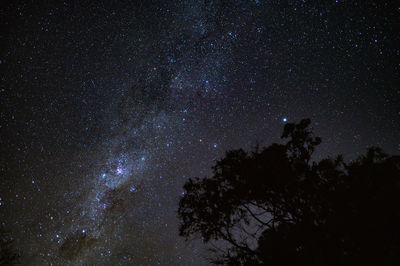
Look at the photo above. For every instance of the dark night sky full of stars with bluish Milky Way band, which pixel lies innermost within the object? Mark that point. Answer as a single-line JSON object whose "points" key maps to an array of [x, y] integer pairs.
{"points": [[108, 107]]}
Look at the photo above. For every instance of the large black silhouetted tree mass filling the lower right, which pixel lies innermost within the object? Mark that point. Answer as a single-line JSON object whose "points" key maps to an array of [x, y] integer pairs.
{"points": [[273, 206]]}
